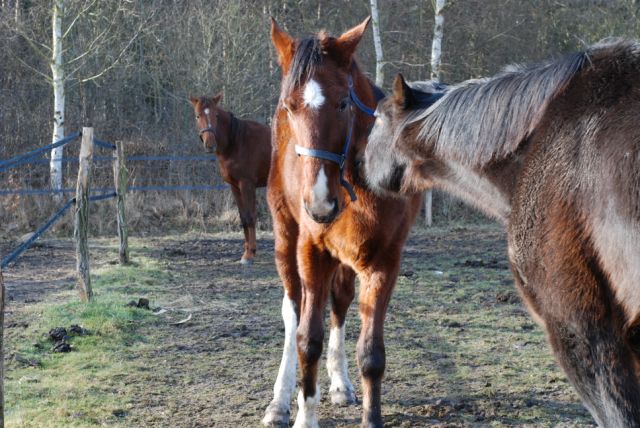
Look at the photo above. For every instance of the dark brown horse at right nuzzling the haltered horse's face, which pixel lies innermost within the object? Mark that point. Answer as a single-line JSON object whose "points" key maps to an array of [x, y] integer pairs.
{"points": [[552, 151]]}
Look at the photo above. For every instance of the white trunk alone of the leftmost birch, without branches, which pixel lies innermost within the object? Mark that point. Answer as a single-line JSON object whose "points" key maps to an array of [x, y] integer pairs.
{"points": [[57, 74]]}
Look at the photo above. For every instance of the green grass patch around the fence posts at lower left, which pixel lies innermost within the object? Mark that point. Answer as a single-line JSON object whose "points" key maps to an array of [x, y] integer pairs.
{"points": [[89, 386]]}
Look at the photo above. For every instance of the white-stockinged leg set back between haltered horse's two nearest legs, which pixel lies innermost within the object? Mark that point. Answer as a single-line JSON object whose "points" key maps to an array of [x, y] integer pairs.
{"points": [[342, 293]]}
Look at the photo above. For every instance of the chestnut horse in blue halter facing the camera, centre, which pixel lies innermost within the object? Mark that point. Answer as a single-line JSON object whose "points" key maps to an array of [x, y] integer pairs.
{"points": [[329, 226]]}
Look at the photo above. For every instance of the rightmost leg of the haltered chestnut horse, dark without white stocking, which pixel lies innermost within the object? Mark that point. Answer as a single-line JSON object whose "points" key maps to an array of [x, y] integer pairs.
{"points": [[375, 291]]}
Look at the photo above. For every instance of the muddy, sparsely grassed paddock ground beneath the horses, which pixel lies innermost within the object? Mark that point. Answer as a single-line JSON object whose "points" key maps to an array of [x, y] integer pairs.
{"points": [[461, 350]]}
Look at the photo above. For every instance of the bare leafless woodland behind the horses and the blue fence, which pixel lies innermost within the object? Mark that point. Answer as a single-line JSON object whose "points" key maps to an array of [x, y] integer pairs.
{"points": [[130, 66]]}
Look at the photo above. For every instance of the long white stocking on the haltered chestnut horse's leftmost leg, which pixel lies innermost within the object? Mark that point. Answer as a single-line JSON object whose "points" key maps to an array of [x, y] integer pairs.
{"points": [[286, 380]]}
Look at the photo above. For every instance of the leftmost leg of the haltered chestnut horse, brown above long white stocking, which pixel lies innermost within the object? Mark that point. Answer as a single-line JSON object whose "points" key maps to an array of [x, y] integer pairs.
{"points": [[278, 412]]}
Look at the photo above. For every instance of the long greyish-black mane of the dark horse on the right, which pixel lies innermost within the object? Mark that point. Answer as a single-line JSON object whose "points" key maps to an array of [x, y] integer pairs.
{"points": [[479, 121]]}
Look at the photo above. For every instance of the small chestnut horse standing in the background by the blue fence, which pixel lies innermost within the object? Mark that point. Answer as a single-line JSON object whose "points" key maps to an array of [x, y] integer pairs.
{"points": [[243, 149]]}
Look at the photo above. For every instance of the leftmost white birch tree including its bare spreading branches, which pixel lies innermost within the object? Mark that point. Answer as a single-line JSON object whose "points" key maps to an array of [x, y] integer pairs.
{"points": [[96, 46]]}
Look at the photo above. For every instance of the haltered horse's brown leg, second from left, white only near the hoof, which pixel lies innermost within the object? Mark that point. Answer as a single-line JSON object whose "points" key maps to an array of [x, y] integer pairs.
{"points": [[316, 270]]}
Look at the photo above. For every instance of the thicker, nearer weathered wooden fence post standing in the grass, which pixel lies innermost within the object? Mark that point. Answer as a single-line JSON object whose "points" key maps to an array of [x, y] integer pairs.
{"points": [[81, 223]]}
